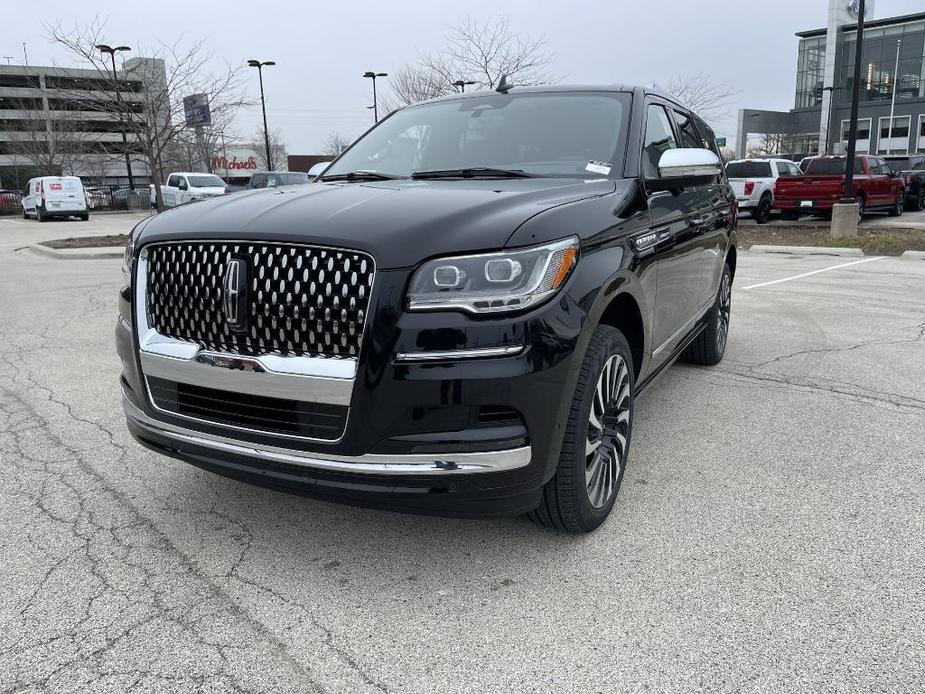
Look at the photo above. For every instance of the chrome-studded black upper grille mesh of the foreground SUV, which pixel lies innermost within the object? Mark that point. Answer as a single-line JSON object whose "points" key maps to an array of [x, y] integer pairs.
{"points": [[298, 300]]}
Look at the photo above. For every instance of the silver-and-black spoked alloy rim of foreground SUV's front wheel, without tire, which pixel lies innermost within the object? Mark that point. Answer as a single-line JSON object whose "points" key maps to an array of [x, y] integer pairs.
{"points": [[608, 431]]}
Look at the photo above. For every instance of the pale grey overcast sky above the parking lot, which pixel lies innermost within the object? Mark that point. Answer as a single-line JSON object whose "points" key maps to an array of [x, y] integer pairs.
{"points": [[322, 48]]}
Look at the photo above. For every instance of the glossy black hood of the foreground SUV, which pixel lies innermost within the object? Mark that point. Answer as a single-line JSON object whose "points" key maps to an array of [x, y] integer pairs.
{"points": [[400, 223]]}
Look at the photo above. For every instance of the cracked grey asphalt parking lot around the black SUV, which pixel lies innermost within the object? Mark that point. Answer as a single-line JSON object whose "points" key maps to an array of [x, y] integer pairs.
{"points": [[768, 536]]}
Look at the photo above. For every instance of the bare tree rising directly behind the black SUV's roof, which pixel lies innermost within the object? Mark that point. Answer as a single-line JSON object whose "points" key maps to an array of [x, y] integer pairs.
{"points": [[480, 51]]}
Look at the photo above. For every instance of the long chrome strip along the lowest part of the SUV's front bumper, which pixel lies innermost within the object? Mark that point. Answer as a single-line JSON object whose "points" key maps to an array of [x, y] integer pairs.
{"points": [[416, 464]]}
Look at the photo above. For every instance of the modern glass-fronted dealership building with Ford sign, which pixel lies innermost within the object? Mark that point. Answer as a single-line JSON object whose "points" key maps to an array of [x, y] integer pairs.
{"points": [[819, 120]]}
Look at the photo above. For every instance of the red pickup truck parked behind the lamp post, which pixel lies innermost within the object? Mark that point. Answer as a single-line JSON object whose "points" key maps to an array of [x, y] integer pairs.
{"points": [[876, 187]]}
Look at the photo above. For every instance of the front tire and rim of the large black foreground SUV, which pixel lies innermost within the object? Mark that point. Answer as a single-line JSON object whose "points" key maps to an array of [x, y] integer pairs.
{"points": [[580, 496]]}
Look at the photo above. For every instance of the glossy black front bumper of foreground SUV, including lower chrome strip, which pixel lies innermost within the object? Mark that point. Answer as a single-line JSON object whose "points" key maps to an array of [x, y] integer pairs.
{"points": [[411, 439]]}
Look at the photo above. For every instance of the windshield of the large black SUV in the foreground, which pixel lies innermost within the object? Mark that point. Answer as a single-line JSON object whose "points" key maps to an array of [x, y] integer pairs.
{"points": [[552, 134]]}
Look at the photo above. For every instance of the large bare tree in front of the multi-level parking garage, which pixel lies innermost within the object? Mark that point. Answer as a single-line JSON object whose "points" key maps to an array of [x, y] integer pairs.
{"points": [[153, 114]]}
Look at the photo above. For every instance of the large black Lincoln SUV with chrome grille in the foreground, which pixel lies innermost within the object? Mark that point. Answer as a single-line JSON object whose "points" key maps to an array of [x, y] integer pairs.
{"points": [[455, 320]]}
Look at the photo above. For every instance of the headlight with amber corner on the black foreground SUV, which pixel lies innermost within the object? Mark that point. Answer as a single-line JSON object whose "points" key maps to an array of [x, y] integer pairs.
{"points": [[493, 282]]}
